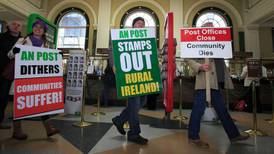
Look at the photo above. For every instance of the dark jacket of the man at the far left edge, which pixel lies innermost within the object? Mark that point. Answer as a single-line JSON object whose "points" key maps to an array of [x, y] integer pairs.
{"points": [[7, 41]]}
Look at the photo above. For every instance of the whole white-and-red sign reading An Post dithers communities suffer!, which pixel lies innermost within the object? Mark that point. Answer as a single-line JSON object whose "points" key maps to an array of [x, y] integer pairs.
{"points": [[38, 84]]}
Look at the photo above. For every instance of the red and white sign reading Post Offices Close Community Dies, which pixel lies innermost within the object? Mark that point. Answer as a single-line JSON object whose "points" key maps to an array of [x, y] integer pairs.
{"points": [[206, 43]]}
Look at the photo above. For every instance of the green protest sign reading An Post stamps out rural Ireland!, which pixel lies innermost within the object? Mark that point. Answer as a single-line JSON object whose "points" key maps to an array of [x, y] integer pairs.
{"points": [[136, 62]]}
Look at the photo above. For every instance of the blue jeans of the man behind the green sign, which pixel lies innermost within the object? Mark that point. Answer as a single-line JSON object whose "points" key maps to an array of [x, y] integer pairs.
{"points": [[130, 114]]}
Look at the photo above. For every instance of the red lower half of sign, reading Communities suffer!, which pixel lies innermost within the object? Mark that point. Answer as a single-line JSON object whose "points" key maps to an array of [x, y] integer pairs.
{"points": [[38, 96]]}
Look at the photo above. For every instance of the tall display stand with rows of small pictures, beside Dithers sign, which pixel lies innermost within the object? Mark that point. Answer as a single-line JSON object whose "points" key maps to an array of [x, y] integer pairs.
{"points": [[75, 80]]}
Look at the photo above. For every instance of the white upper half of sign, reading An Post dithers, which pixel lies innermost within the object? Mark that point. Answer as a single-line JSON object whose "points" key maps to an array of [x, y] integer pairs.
{"points": [[33, 62]]}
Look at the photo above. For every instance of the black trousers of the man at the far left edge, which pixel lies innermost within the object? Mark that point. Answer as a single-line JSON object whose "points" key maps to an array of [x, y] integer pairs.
{"points": [[4, 96]]}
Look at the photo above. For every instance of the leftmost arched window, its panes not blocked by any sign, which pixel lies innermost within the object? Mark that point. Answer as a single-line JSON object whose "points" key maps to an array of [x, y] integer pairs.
{"points": [[73, 28]]}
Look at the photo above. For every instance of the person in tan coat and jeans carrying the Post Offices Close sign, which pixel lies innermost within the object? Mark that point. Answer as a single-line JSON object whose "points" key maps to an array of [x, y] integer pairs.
{"points": [[219, 78]]}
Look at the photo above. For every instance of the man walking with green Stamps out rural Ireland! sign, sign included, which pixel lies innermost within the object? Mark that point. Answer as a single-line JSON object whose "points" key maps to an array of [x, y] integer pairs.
{"points": [[137, 73]]}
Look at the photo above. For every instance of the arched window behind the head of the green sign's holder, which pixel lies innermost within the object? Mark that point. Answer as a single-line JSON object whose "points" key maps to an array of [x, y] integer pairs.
{"points": [[151, 19]]}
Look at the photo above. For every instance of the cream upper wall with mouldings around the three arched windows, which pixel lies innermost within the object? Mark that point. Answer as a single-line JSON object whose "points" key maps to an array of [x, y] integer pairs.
{"points": [[241, 14]]}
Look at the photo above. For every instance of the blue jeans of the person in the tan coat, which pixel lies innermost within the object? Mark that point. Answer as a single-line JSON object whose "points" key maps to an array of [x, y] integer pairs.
{"points": [[198, 111]]}
